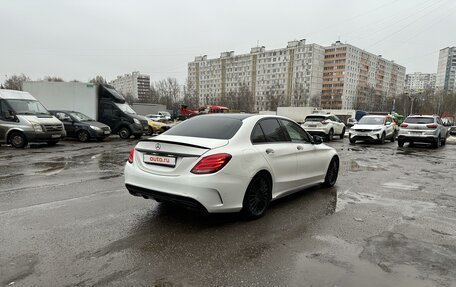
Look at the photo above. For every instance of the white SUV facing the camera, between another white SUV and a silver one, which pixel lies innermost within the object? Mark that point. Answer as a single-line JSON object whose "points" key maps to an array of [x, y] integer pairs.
{"points": [[374, 128]]}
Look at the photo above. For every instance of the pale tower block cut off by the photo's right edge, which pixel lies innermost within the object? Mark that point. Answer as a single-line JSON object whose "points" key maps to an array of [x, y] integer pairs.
{"points": [[446, 70]]}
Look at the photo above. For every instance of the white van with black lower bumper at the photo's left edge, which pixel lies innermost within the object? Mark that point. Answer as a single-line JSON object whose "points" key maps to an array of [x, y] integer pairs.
{"points": [[23, 119]]}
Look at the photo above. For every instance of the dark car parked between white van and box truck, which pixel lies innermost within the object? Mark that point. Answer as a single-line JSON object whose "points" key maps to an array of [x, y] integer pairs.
{"points": [[79, 126]]}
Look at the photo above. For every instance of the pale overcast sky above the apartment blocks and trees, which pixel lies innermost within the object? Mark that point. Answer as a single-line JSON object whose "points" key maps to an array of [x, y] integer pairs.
{"points": [[79, 39]]}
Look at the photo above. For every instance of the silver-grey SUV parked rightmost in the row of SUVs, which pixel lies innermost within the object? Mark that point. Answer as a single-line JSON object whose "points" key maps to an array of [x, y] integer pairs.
{"points": [[424, 129]]}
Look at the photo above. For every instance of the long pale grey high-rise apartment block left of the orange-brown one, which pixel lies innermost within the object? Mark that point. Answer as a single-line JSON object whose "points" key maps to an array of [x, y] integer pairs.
{"points": [[290, 76]]}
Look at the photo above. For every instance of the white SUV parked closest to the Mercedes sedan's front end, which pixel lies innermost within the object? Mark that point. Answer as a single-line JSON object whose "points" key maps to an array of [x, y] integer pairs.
{"points": [[325, 125]]}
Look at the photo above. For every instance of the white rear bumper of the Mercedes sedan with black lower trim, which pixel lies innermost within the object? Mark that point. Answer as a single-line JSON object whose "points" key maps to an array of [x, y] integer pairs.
{"points": [[219, 192]]}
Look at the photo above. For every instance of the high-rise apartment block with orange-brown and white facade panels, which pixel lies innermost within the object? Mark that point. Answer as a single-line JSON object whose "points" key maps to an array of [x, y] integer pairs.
{"points": [[352, 77]]}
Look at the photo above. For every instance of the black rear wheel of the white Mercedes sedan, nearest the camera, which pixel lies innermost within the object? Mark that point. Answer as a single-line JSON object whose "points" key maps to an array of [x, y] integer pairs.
{"points": [[257, 197]]}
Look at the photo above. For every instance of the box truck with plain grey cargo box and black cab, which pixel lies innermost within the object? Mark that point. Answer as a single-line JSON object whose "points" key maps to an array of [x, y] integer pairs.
{"points": [[100, 102]]}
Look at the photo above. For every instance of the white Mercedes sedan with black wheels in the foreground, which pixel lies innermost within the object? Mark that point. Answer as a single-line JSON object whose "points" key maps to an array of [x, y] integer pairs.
{"points": [[229, 163]]}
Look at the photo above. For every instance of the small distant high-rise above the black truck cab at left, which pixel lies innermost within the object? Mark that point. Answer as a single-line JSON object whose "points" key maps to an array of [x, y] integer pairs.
{"points": [[134, 84]]}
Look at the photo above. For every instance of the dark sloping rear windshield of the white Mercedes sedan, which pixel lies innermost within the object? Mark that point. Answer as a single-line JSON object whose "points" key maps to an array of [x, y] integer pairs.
{"points": [[210, 127]]}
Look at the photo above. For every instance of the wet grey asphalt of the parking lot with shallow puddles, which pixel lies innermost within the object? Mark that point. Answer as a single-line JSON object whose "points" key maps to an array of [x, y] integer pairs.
{"points": [[66, 219]]}
